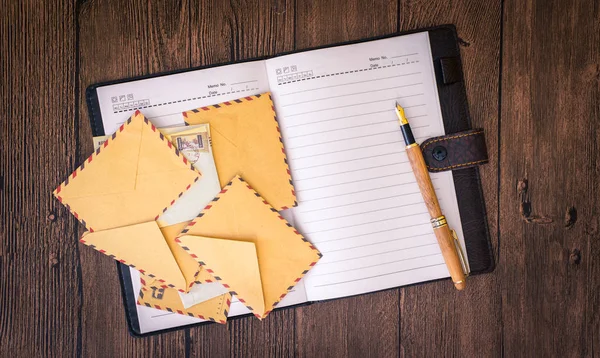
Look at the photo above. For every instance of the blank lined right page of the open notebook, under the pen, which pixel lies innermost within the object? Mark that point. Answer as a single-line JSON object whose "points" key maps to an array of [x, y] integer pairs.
{"points": [[358, 199]]}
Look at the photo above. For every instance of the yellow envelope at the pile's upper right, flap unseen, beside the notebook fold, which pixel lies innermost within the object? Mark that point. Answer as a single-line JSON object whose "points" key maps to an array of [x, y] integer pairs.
{"points": [[246, 141]]}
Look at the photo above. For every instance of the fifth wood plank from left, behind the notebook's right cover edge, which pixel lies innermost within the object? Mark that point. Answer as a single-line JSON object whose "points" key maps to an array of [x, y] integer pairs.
{"points": [[464, 323]]}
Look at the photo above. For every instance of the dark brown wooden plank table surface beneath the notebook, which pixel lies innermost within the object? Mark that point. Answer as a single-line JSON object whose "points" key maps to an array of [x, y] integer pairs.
{"points": [[533, 81]]}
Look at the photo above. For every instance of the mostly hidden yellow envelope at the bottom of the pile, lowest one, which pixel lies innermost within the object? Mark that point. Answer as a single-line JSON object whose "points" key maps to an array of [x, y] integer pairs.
{"points": [[215, 310]]}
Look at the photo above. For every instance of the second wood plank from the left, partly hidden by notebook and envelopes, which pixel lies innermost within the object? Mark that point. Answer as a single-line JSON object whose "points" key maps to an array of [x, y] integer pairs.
{"points": [[119, 40]]}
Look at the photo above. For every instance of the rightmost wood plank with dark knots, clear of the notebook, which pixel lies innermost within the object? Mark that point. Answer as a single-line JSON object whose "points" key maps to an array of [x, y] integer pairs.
{"points": [[549, 155]]}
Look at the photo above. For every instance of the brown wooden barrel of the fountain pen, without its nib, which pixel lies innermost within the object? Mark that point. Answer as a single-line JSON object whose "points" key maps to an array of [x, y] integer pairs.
{"points": [[442, 233]]}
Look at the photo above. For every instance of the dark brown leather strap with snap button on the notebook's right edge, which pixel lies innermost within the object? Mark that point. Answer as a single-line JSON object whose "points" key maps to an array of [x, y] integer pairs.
{"points": [[455, 151]]}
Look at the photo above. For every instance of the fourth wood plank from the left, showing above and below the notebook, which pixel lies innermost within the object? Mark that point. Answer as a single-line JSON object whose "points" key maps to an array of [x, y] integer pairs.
{"points": [[366, 325]]}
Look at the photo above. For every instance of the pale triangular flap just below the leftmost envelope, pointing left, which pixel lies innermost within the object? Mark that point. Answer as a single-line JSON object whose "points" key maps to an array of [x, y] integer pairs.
{"points": [[141, 246]]}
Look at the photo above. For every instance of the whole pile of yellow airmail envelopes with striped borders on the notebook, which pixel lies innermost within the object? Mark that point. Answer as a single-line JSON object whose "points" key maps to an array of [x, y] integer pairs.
{"points": [[238, 240]]}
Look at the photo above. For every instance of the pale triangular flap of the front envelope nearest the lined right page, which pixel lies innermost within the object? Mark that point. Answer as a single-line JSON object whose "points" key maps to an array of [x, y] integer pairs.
{"points": [[233, 263]]}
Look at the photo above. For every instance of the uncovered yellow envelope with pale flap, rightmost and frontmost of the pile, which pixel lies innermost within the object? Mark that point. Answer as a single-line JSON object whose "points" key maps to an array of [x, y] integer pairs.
{"points": [[247, 246]]}
